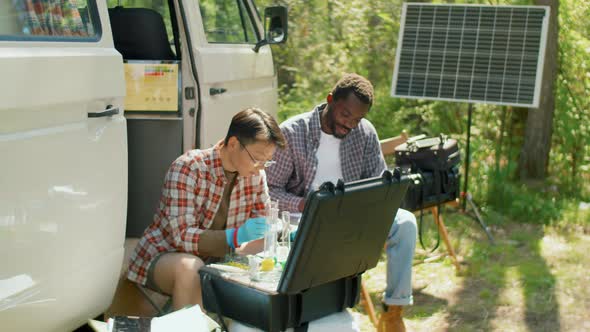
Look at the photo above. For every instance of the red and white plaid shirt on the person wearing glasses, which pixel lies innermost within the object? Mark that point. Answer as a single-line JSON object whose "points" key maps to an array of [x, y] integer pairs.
{"points": [[192, 192]]}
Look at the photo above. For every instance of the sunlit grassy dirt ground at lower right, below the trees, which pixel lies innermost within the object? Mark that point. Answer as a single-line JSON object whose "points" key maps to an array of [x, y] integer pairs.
{"points": [[534, 278]]}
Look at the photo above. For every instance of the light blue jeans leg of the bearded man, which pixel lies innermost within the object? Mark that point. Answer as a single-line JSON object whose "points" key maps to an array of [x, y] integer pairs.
{"points": [[400, 247]]}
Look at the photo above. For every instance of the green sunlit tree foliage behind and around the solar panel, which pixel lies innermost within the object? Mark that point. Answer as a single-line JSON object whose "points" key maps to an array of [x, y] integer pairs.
{"points": [[330, 37]]}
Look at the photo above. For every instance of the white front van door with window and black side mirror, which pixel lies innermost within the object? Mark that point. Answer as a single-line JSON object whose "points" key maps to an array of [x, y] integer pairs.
{"points": [[234, 69]]}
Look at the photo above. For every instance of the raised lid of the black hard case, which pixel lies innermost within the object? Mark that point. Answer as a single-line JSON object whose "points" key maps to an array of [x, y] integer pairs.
{"points": [[342, 231]]}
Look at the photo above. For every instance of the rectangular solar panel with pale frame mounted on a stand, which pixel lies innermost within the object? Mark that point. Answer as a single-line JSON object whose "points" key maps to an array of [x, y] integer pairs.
{"points": [[471, 53]]}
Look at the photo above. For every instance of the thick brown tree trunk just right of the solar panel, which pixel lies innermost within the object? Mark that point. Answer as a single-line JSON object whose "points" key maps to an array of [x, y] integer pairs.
{"points": [[534, 156]]}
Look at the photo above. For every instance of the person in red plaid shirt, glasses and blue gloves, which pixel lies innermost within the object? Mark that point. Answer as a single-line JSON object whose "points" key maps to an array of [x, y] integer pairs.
{"points": [[212, 203]]}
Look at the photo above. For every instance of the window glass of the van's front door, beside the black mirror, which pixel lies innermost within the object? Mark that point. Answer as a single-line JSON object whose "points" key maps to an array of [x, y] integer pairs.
{"points": [[227, 22]]}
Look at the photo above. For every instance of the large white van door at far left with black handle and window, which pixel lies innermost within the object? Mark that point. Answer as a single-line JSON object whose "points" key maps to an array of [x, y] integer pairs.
{"points": [[63, 169]]}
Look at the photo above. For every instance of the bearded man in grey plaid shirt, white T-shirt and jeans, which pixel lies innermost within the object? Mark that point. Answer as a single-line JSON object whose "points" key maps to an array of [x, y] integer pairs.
{"points": [[333, 142]]}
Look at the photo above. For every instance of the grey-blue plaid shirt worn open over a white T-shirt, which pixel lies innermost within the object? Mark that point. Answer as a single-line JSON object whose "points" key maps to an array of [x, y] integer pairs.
{"points": [[289, 180]]}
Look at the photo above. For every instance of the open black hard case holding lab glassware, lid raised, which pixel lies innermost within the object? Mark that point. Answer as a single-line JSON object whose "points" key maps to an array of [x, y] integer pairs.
{"points": [[341, 235]]}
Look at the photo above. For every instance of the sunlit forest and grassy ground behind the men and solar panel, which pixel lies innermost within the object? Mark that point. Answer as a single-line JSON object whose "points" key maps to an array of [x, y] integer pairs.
{"points": [[529, 171]]}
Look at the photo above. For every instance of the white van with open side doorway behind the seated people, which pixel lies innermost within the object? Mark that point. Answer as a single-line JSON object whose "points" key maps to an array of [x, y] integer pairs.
{"points": [[81, 164]]}
